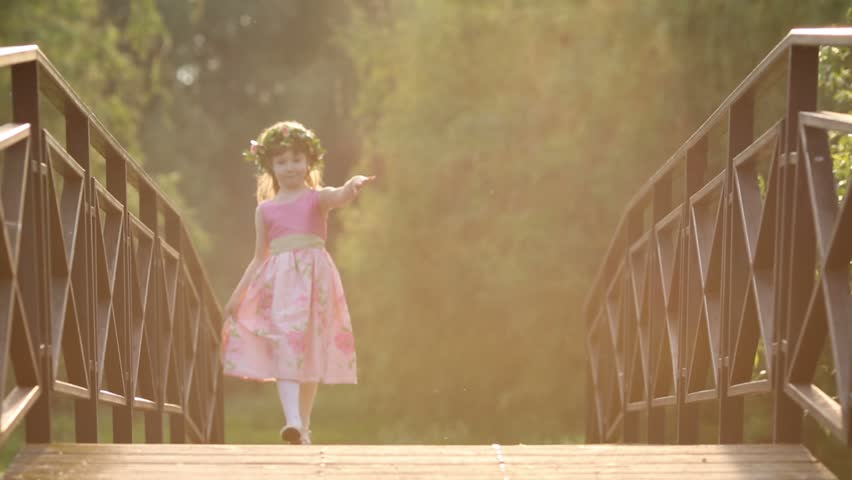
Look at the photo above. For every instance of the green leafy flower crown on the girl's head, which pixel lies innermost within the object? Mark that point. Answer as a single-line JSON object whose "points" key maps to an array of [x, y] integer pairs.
{"points": [[284, 136]]}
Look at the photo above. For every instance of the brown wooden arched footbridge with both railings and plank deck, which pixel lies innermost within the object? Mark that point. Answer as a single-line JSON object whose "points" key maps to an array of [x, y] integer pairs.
{"points": [[736, 249]]}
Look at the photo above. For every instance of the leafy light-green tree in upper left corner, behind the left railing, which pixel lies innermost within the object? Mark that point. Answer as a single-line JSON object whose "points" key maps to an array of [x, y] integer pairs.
{"points": [[111, 54]]}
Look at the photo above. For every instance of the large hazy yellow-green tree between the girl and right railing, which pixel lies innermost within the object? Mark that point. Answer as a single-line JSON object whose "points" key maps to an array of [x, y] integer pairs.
{"points": [[508, 136]]}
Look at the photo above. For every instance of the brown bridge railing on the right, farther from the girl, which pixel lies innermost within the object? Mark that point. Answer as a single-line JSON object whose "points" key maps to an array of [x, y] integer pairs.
{"points": [[729, 273]]}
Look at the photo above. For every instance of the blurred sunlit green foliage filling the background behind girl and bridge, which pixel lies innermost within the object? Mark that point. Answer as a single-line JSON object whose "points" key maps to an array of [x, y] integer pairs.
{"points": [[507, 136]]}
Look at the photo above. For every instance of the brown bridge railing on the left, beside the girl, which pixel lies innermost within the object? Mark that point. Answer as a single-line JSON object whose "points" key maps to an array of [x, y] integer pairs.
{"points": [[103, 298]]}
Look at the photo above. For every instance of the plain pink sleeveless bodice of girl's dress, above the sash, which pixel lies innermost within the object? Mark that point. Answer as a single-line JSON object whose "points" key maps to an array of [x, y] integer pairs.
{"points": [[303, 215]]}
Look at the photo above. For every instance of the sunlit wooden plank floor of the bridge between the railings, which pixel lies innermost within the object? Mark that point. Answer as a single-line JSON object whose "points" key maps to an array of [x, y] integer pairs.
{"points": [[409, 462]]}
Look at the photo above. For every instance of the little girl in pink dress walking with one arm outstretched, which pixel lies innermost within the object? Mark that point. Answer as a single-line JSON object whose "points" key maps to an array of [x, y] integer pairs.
{"points": [[287, 320]]}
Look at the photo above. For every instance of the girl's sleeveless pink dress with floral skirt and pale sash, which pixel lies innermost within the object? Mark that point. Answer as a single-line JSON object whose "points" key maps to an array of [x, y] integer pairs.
{"points": [[292, 322]]}
